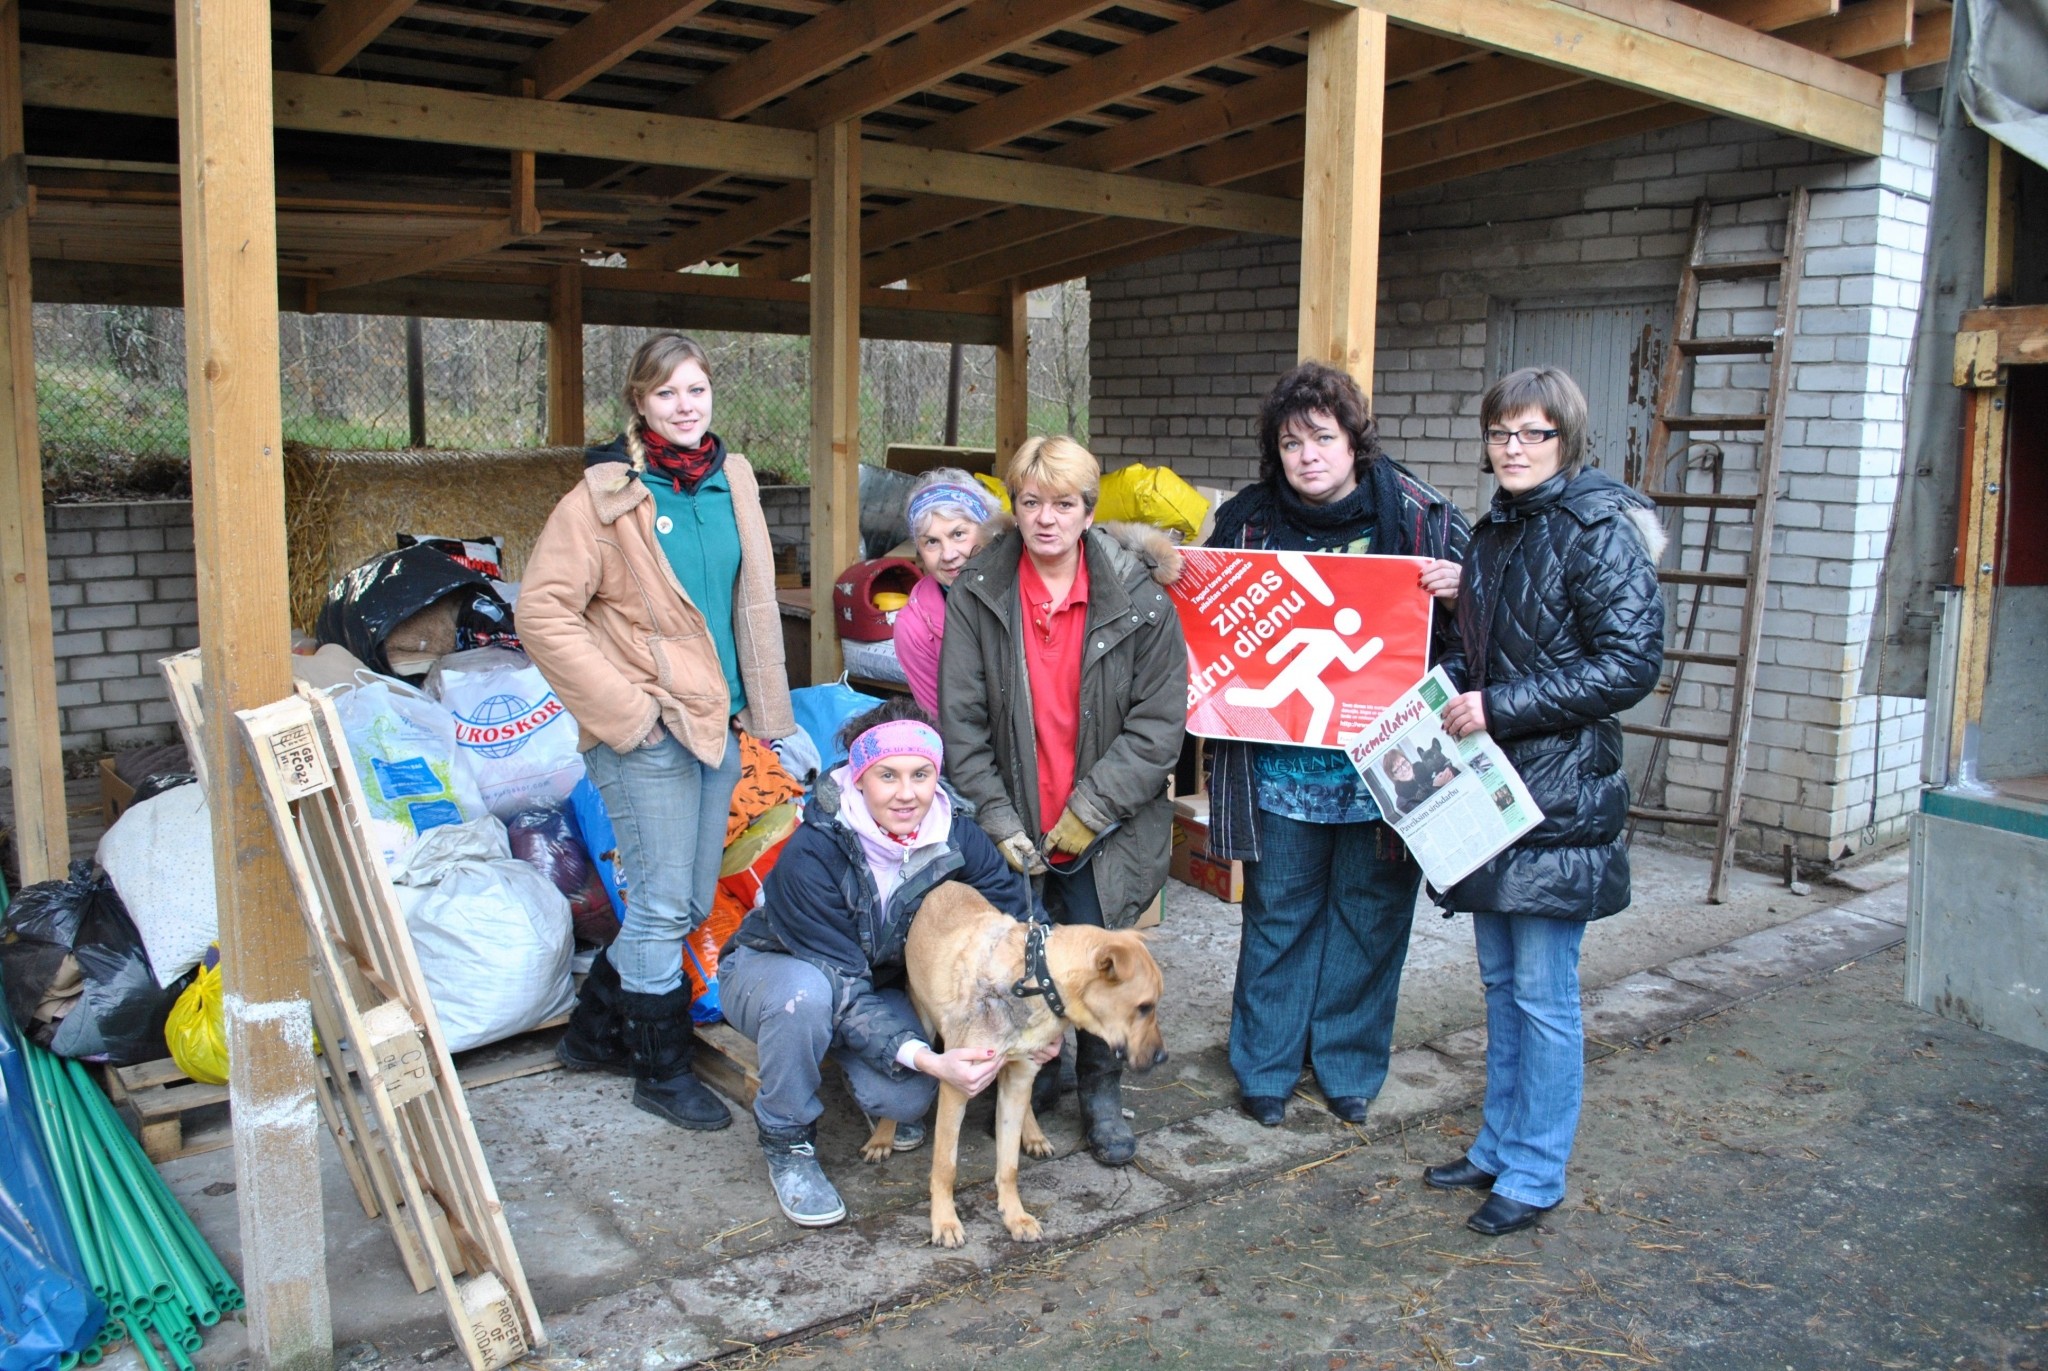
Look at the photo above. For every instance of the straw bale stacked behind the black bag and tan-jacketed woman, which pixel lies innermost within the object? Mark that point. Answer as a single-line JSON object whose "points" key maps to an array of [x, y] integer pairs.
{"points": [[345, 507]]}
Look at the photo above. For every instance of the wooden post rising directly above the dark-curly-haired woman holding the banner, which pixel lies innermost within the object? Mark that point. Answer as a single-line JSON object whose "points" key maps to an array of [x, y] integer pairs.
{"points": [[1340, 214]]}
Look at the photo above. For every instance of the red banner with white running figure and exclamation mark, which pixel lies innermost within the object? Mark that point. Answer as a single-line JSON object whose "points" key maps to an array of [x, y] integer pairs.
{"points": [[1289, 647]]}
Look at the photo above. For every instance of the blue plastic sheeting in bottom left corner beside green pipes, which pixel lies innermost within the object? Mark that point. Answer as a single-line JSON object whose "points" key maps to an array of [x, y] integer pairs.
{"points": [[46, 1304]]}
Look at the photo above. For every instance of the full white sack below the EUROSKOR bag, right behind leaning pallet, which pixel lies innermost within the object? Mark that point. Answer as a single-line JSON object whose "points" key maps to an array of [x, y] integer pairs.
{"points": [[493, 936]]}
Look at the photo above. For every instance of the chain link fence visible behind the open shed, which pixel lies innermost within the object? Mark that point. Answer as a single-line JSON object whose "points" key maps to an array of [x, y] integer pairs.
{"points": [[112, 386]]}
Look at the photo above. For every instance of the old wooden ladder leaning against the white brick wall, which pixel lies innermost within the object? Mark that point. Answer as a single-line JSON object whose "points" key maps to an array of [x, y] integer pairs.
{"points": [[1666, 483]]}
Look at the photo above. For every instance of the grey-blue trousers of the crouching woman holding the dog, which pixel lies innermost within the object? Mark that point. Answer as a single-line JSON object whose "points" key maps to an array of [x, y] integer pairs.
{"points": [[785, 1005]]}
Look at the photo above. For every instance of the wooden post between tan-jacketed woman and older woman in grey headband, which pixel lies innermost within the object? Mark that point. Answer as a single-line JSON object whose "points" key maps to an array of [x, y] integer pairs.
{"points": [[835, 380]]}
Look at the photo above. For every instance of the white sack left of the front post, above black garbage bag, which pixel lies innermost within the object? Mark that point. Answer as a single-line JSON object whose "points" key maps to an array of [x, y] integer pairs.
{"points": [[161, 860]]}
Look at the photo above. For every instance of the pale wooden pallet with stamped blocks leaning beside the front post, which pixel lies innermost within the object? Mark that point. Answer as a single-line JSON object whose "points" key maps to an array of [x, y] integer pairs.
{"points": [[388, 1030]]}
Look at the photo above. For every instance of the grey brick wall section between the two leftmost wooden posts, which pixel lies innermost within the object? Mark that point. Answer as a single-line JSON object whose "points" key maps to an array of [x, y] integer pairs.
{"points": [[122, 595]]}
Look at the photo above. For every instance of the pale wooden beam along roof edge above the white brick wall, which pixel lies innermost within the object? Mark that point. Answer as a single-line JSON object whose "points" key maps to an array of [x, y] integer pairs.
{"points": [[1678, 54]]}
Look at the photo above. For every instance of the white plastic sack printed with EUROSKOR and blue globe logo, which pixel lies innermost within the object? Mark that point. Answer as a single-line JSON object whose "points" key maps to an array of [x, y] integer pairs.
{"points": [[517, 735]]}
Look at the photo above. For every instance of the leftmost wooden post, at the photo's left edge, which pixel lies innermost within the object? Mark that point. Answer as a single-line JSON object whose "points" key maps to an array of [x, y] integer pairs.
{"points": [[42, 835]]}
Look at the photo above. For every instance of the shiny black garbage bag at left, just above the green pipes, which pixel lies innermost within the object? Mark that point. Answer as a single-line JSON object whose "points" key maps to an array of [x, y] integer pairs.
{"points": [[77, 974]]}
